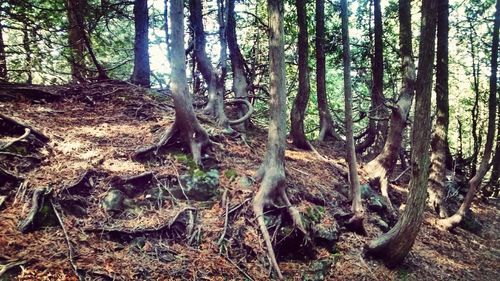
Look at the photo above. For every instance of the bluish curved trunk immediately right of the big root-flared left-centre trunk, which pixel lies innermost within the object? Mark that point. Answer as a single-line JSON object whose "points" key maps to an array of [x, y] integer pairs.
{"points": [[215, 105]]}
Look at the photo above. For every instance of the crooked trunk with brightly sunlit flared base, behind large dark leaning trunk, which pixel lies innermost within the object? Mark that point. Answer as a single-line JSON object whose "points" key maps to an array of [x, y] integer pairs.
{"points": [[381, 167]]}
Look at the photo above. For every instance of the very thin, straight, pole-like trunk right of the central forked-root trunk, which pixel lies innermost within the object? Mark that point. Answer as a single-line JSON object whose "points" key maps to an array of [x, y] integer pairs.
{"points": [[357, 206]]}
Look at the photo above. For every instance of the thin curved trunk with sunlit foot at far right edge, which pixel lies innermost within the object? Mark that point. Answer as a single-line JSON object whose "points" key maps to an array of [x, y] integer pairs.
{"points": [[475, 182]]}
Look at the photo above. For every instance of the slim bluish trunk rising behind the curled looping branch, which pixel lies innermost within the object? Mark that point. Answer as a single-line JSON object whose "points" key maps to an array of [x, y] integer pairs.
{"points": [[240, 82]]}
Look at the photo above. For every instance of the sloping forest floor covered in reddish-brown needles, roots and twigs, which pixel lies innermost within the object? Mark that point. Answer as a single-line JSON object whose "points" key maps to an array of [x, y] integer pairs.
{"points": [[94, 131]]}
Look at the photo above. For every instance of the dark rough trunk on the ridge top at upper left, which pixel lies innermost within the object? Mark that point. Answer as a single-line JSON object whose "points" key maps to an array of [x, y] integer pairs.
{"points": [[75, 39]]}
